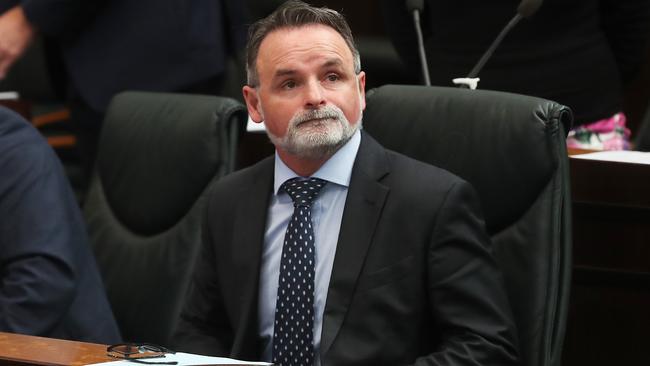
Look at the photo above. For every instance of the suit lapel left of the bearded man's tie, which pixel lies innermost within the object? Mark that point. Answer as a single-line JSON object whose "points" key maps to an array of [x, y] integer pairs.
{"points": [[248, 240]]}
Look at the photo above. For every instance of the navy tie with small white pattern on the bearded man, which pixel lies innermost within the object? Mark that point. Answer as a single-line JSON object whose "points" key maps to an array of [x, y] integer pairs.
{"points": [[293, 333]]}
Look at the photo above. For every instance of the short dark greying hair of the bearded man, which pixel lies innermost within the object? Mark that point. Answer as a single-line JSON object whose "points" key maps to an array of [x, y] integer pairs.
{"points": [[294, 13]]}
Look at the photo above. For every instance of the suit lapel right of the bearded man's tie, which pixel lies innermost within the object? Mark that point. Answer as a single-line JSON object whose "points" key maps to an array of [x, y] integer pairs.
{"points": [[363, 206]]}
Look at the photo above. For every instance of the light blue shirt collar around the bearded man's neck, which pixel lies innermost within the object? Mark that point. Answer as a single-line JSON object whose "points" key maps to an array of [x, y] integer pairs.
{"points": [[337, 169]]}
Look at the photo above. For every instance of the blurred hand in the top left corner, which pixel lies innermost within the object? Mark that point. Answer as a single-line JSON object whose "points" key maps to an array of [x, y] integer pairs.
{"points": [[16, 33]]}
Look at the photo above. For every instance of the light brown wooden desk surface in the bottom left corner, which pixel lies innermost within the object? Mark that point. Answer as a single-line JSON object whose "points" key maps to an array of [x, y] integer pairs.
{"points": [[16, 349]]}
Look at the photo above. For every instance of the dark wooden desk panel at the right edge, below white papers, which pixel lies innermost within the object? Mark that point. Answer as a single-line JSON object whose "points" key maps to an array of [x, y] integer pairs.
{"points": [[609, 314]]}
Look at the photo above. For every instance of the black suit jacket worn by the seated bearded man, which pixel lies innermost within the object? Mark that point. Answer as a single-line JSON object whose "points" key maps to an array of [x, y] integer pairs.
{"points": [[413, 281]]}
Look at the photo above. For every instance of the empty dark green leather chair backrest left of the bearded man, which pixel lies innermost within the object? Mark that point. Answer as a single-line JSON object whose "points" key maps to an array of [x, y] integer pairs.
{"points": [[158, 155]]}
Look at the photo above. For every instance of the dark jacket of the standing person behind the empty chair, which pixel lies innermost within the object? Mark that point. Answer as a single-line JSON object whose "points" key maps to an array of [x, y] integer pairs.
{"points": [[159, 45]]}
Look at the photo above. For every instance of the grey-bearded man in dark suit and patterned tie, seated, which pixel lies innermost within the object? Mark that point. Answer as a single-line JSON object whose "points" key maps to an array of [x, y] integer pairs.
{"points": [[402, 272]]}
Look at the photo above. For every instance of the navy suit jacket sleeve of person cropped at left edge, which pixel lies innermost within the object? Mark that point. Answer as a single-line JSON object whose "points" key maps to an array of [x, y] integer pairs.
{"points": [[49, 282]]}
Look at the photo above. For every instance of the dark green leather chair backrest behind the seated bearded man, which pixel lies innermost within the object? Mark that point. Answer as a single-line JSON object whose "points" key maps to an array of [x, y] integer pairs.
{"points": [[512, 149]]}
